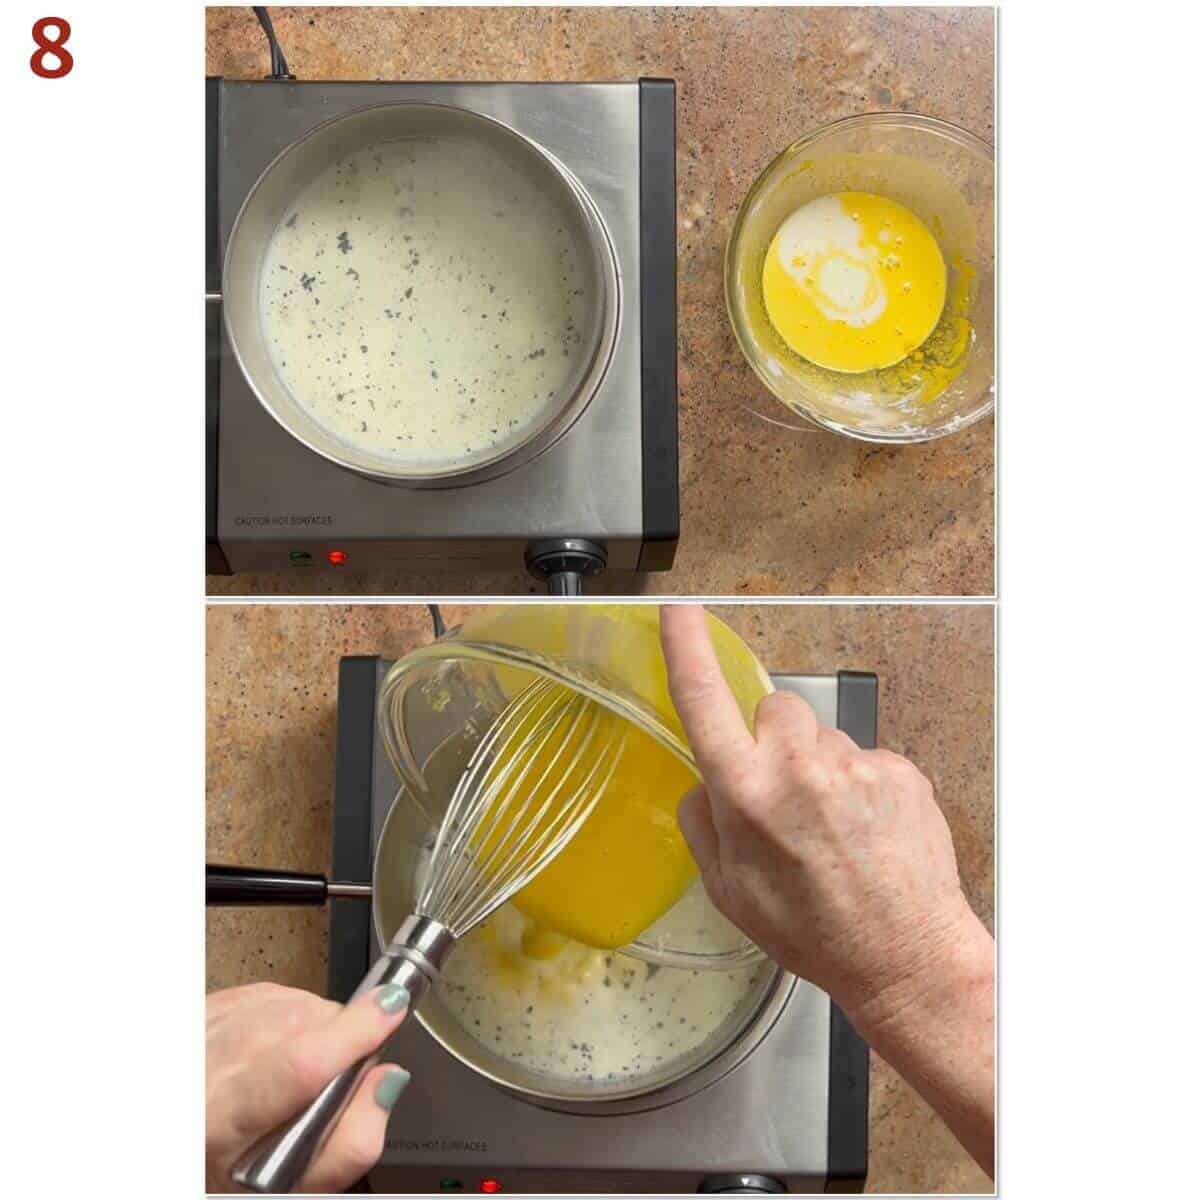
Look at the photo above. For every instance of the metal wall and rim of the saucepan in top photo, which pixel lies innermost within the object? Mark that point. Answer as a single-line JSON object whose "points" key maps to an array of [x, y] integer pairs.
{"points": [[296, 167]]}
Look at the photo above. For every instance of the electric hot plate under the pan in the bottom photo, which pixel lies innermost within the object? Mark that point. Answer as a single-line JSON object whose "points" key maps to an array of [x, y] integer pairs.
{"points": [[790, 1118]]}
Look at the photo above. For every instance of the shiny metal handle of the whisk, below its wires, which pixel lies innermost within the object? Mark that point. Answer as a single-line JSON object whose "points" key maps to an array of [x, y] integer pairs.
{"points": [[278, 1163]]}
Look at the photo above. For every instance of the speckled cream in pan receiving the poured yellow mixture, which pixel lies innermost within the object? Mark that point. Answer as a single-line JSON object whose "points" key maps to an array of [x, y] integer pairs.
{"points": [[584, 1015]]}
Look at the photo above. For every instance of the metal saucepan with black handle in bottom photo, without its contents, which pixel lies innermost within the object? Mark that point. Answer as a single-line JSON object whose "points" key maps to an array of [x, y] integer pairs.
{"points": [[404, 847]]}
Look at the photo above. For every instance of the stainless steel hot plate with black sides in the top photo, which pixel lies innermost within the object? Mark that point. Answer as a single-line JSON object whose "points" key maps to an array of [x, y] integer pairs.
{"points": [[605, 495]]}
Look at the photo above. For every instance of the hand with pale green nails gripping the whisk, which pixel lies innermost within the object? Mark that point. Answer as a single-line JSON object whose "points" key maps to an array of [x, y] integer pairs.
{"points": [[269, 1053]]}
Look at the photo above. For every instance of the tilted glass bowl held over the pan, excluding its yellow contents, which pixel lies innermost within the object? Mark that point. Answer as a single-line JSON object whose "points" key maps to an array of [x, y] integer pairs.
{"points": [[439, 701]]}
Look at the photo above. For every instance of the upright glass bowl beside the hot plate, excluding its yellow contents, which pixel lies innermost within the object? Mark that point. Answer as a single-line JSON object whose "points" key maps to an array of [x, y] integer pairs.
{"points": [[946, 177]]}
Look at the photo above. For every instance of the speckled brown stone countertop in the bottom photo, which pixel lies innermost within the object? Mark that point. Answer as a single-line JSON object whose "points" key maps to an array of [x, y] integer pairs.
{"points": [[272, 710]]}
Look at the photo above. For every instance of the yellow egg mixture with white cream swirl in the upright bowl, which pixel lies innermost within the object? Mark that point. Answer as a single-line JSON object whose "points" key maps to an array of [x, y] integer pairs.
{"points": [[854, 283]]}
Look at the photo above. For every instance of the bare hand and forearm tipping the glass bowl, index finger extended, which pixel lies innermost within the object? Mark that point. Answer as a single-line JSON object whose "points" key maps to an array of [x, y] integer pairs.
{"points": [[839, 863]]}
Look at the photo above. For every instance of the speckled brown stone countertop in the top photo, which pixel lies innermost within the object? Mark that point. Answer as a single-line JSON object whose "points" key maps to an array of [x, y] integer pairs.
{"points": [[766, 511]]}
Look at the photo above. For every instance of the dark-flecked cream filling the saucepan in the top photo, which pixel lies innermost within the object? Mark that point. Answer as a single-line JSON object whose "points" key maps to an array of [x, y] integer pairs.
{"points": [[424, 301]]}
